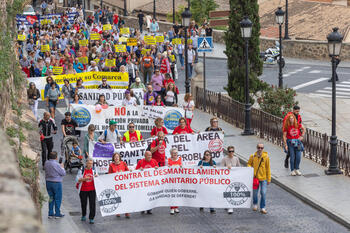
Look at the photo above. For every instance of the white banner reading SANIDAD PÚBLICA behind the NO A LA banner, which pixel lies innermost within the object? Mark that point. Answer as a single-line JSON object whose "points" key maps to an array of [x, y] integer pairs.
{"points": [[113, 96]]}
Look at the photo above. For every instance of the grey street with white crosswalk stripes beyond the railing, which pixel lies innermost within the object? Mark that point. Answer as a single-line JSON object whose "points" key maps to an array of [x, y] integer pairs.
{"points": [[301, 75]]}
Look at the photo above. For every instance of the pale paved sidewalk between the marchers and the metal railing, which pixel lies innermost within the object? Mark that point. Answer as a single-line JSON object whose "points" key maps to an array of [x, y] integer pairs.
{"points": [[328, 194]]}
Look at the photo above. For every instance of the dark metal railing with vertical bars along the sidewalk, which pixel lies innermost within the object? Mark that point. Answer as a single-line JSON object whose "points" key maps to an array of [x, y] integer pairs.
{"points": [[269, 127]]}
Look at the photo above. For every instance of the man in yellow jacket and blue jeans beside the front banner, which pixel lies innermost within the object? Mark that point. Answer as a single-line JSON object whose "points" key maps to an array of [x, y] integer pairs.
{"points": [[261, 163]]}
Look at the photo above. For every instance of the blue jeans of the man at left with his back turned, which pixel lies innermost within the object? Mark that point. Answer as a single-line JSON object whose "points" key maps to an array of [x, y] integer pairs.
{"points": [[54, 189]]}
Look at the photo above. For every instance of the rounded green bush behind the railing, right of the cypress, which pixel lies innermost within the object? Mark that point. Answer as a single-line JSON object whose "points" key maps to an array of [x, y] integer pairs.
{"points": [[277, 101]]}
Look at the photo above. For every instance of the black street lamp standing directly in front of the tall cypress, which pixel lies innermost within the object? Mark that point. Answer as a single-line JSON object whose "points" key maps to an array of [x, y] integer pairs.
{"points": [[246, 31]]}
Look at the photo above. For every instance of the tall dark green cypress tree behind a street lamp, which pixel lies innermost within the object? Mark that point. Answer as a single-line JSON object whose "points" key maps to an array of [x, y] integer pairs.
{"points": [[235, 46]]}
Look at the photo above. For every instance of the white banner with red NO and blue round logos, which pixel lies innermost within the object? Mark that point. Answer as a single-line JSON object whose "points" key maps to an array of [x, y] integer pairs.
{"points": [[123, 115]]}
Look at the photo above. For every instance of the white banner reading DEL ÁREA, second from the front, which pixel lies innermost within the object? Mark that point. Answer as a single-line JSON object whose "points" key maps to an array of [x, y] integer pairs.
{"points": [[190, 148]]}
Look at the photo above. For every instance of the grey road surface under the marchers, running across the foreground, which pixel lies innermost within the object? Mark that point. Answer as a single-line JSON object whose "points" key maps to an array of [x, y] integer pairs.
{"points": [[286, 213]]}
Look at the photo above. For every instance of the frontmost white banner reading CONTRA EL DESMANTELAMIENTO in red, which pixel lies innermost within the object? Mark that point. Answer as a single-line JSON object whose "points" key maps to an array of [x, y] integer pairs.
{"points": [[128, 192]]}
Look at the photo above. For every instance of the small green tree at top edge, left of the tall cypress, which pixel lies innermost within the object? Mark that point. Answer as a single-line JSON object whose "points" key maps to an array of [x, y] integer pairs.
{"points": [[200, 9]]}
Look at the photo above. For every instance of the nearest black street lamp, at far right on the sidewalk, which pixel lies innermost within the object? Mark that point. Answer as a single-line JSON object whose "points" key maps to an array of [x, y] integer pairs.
{"points": [[334, 47]]}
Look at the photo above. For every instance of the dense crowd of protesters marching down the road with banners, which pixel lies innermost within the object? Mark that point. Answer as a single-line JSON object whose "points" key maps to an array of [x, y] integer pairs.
{"points": [[153, 68]]}
